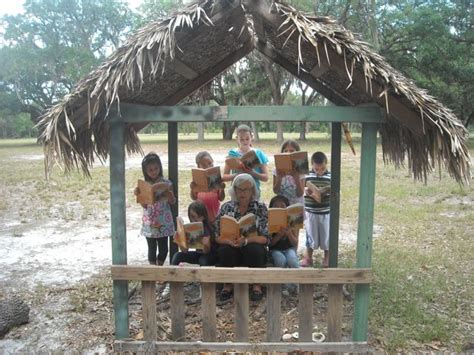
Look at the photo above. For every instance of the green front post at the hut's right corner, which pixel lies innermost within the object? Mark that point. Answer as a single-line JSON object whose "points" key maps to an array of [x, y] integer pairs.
{"points": [[365, 226]]}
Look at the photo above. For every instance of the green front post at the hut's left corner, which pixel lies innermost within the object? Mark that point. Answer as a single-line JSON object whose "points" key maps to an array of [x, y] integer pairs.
{"points": [[118, 224]]}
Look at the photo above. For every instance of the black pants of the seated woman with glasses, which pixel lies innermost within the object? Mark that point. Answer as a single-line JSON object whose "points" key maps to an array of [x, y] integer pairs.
{"points": [[251, 255]]}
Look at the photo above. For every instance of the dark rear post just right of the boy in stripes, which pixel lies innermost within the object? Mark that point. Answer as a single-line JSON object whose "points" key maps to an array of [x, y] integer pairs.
{"points": [[335, 193]]}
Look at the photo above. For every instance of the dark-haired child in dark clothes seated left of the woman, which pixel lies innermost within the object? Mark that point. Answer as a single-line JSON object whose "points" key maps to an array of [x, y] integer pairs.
{"points": [[197, 212]]}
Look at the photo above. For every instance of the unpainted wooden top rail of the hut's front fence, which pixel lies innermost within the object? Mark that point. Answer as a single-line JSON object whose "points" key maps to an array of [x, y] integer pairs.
{"points": [[241, 275]]}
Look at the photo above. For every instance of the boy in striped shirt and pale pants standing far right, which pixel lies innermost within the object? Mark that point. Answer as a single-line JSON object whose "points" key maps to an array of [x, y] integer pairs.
{"points": [[317, 213]]}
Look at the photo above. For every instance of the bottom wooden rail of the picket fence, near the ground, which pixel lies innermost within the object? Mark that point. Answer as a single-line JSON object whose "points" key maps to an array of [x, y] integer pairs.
{"points": [[143, 346]]}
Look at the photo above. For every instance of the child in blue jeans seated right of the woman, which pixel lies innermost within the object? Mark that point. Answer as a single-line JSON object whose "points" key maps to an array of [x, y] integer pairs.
{"points": [[284, 243]]}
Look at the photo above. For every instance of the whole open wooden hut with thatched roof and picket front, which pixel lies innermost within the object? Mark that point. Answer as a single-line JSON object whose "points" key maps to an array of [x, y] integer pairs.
{"points": [[164, 62]]}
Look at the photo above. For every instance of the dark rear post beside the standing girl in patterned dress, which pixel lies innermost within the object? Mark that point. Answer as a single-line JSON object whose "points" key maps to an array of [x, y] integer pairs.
{"points": [[173, 174]]}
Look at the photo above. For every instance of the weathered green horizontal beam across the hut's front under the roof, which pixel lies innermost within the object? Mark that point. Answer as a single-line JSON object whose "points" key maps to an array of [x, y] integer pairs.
{"points": [[142, 113]]}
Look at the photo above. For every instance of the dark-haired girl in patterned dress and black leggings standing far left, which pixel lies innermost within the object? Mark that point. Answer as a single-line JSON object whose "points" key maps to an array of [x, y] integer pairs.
{"points": [[157, 221]]}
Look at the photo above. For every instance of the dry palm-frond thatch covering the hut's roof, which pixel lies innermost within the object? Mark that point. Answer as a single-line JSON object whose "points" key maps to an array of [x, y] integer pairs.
{"points": [[76, 130]]}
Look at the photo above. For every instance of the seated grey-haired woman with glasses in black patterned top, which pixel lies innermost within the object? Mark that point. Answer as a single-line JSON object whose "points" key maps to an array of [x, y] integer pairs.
{"points": [[251, 251]]}
